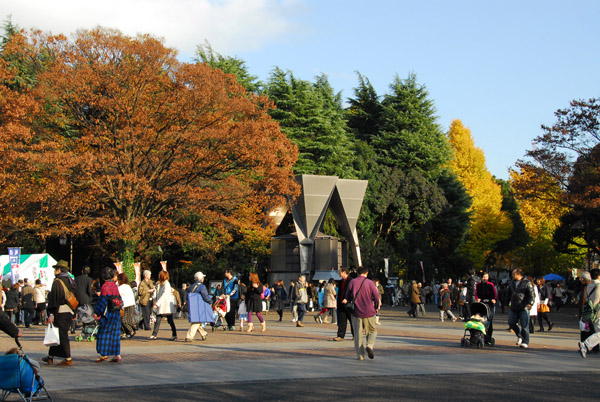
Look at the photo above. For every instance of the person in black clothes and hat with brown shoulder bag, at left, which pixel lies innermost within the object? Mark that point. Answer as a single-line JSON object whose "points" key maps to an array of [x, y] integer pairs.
{"points": [[60, 314]]}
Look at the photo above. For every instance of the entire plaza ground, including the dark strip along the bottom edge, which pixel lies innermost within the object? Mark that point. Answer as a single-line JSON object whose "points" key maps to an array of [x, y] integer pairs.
{"points": [[414, 358]]}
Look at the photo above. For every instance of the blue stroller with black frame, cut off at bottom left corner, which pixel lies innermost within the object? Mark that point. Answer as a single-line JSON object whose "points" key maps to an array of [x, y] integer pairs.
{"points": [[20, 375]]}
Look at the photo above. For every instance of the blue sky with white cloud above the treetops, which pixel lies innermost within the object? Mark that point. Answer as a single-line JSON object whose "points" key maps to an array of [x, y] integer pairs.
{"points": [[502, 67]]}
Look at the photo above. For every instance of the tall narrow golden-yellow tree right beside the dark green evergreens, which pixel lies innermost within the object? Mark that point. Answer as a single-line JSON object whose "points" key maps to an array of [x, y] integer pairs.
{"points": [[489, 224]]}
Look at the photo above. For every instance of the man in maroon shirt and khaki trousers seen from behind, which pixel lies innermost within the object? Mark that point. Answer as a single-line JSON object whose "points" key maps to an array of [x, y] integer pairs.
{"points": [[366, 304]]}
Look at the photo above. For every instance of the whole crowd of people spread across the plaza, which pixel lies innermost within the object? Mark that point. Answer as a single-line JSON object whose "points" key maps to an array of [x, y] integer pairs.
{"points": [[121, 308]]}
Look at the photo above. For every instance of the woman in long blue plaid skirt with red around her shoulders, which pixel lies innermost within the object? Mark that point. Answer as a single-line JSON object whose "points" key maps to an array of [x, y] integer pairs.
{"points": [[108, 312]]}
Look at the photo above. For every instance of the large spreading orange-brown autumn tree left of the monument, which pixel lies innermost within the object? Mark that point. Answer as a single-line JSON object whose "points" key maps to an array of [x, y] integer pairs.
{"points": [[145, 148]]}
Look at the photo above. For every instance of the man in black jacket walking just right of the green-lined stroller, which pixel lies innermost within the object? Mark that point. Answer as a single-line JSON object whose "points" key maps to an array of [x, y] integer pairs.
{"points": [[521, 301]]}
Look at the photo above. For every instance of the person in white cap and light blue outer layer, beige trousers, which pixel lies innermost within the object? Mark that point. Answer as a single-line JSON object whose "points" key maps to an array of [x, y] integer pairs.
{"points": [[199, 308]]}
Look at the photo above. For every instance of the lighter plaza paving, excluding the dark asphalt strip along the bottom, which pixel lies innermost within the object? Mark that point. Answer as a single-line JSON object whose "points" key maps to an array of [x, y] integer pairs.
{"points": [[404, 347]]}
